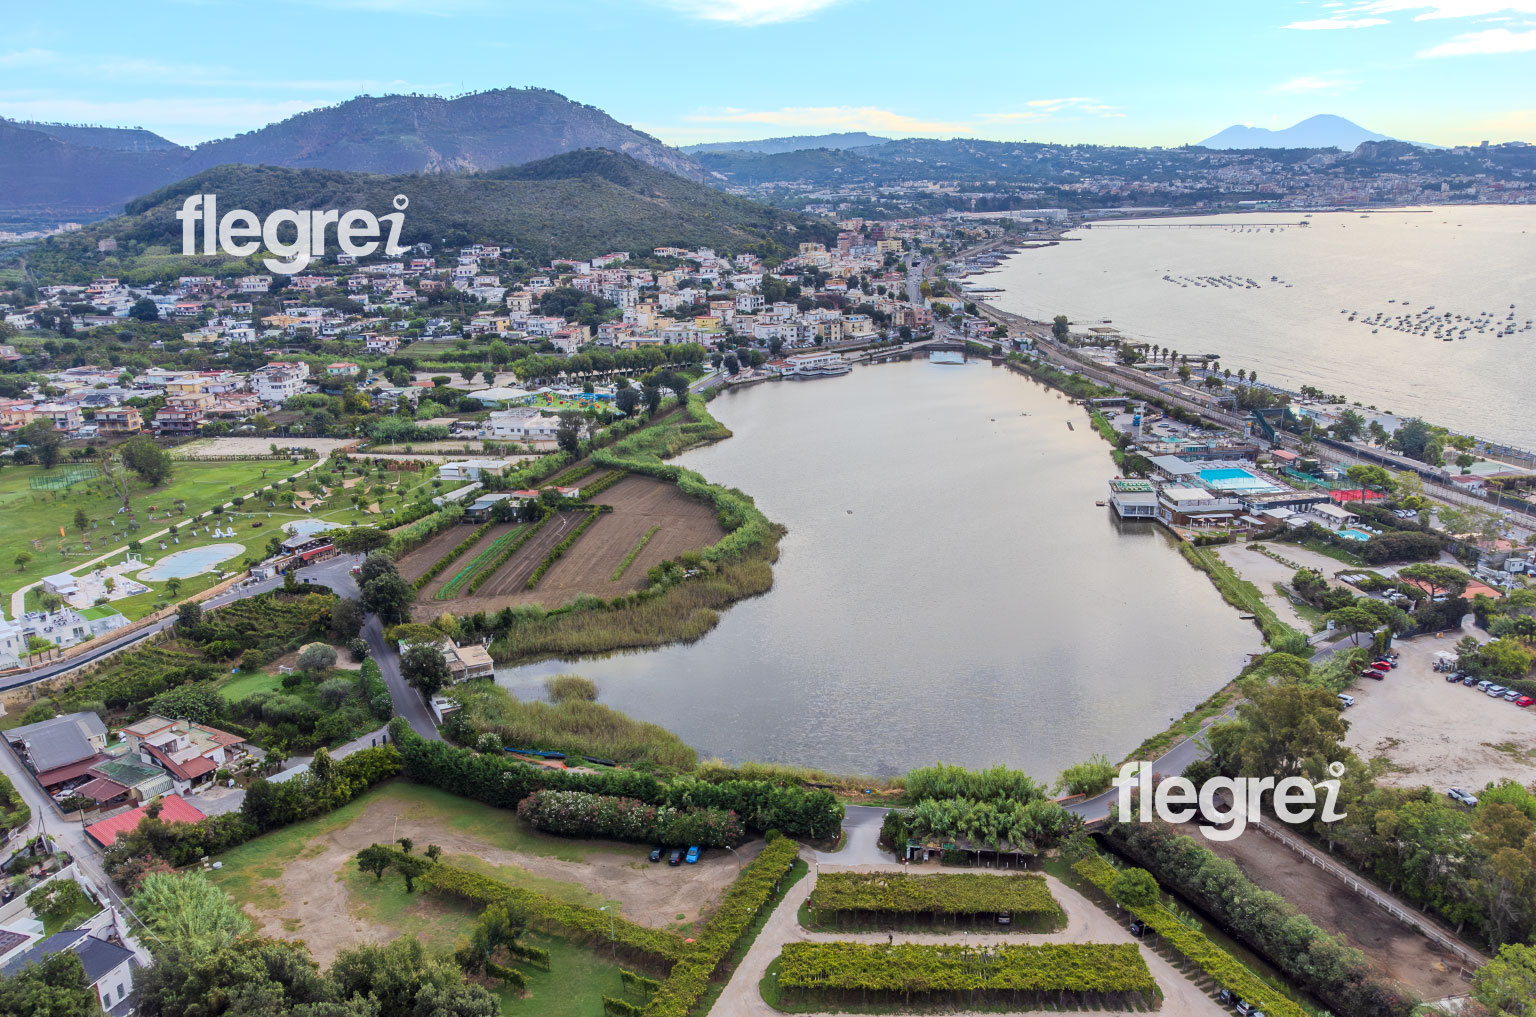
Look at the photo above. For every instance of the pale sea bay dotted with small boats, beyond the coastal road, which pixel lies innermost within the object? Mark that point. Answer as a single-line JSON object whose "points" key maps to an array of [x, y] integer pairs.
{"points": [[1468, 260]]}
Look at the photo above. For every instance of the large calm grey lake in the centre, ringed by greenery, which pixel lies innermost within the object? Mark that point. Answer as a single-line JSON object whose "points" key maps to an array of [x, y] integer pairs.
{"points": [[947, 591]]}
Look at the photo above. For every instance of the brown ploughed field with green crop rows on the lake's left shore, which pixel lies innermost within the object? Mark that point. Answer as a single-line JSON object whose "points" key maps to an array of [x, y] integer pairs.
{"points": [[640, 503]]}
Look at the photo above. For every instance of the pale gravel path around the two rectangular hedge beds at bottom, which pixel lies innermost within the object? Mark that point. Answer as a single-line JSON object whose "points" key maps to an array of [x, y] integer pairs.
{"points": [[1087, 924]]}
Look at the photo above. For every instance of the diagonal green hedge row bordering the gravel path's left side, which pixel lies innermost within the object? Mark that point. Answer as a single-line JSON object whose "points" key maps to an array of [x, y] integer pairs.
{"points": [[690, 978]]}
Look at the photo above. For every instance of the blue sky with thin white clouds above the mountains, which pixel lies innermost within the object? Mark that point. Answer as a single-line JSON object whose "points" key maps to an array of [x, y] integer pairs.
{"points": [[1125, 71]]}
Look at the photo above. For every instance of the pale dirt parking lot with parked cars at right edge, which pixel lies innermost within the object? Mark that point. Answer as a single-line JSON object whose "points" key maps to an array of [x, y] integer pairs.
{"points": [[1437, 732]]}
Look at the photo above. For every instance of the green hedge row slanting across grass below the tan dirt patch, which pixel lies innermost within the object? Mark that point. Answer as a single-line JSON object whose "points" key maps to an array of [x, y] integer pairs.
{"points": [[566, 919]]}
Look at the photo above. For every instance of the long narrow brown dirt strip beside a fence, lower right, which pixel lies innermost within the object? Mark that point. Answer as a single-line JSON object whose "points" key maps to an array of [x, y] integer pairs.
{"points": [[1399, 952]]}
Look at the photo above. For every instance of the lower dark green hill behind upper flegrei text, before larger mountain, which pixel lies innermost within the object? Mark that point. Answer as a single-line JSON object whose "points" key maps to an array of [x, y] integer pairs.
{"points": [[575, 205]]}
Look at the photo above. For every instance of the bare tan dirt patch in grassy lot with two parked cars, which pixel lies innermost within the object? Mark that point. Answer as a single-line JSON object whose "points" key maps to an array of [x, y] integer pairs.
{"points": [[317, 904]]}
